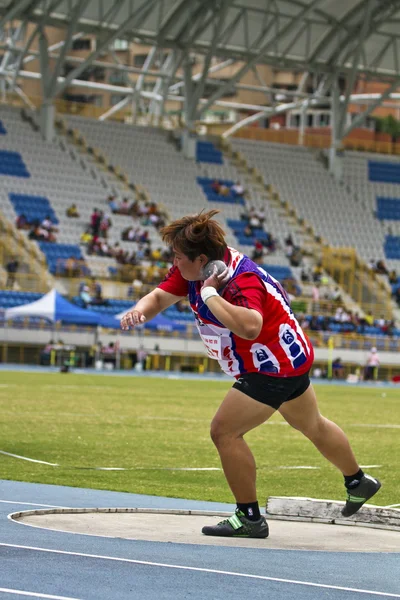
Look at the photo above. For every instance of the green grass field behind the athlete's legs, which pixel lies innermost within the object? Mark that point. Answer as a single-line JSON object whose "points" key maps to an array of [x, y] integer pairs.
{"points": [[149, 424]]}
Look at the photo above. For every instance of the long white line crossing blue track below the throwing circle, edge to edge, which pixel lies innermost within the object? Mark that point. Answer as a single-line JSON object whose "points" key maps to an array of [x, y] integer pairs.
{"points": [[202, 570]]}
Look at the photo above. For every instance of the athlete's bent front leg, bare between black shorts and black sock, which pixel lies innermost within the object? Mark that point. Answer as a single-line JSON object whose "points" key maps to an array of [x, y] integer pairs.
{"points": [[237, 415]]}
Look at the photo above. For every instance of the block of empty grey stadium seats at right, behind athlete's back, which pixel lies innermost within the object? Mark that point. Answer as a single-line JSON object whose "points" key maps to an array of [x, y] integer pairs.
{"points": [[339, 213]]}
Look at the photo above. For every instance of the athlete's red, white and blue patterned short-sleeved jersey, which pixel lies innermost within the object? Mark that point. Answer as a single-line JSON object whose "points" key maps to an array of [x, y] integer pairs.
{"points": [[281, 350]]}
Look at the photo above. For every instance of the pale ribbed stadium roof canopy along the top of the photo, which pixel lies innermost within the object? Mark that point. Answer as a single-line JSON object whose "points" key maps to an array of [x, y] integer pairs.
{"points": [[310, 35]]}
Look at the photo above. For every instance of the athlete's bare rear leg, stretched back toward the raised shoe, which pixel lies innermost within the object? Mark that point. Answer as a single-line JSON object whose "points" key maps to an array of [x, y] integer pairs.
{"points": [[303, 414]]}
